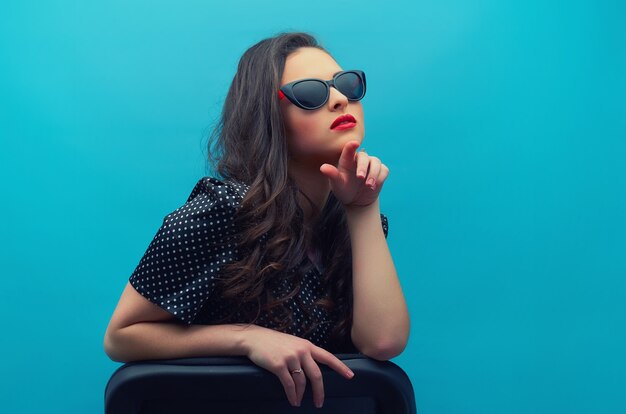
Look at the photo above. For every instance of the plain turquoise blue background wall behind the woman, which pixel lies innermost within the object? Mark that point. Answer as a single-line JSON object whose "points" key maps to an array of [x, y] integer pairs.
{"points": [[503, 124]]}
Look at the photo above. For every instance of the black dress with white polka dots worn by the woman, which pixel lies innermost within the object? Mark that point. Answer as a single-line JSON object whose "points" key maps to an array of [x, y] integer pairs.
{"points": [[178, 270]]}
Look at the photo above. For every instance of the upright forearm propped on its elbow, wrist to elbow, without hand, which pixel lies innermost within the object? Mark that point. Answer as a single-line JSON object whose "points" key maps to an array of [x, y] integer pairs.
{"points": [[380, 315]]}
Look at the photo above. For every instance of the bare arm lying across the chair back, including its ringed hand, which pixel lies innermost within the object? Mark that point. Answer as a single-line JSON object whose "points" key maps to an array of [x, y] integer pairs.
{"points": [[141, 330]]}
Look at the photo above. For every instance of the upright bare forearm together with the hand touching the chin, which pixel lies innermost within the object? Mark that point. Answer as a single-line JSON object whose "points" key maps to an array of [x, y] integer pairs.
{"points": [[380, 326]]}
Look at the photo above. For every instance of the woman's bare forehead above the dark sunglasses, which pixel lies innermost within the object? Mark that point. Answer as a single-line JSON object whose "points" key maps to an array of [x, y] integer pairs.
{"points": [[309, 62]]}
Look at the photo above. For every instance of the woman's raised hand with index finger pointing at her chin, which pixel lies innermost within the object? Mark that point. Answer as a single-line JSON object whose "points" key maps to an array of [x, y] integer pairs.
{"points": [[358, 177]]}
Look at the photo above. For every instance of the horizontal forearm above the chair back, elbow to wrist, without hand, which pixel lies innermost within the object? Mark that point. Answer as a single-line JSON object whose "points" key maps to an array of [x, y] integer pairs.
{"points": [[166, 340]]}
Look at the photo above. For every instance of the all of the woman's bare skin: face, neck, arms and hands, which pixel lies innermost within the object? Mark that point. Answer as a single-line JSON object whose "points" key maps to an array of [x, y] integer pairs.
{"points": [[321, 161]]}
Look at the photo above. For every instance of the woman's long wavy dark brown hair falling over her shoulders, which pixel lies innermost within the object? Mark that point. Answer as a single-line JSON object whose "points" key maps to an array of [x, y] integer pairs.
{"points": [[249, 145]]}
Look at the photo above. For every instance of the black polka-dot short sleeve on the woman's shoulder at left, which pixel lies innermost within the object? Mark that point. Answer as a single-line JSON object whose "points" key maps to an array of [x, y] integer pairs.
{"points": [[177, 271]]}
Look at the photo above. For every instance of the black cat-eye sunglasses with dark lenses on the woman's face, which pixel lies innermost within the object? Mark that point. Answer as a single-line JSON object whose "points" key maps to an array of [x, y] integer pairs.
{"points": [[313, 93]]}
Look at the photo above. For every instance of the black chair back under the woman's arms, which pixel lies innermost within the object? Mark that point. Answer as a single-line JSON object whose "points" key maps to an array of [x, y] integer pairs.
{"points": [[237, 385]]}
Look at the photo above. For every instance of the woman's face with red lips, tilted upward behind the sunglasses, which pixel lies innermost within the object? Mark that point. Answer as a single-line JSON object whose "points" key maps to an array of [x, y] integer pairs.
{"points": [[309, 137]]}
